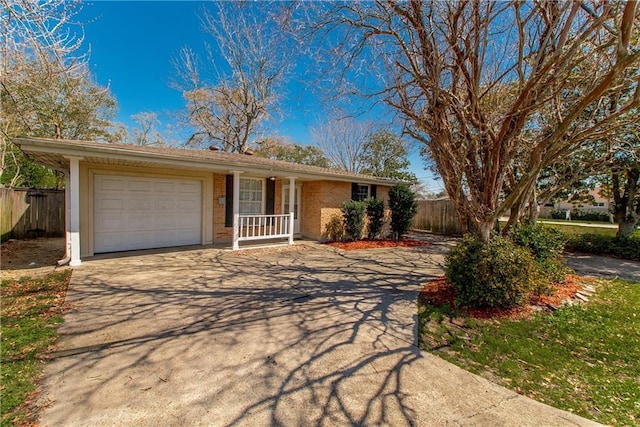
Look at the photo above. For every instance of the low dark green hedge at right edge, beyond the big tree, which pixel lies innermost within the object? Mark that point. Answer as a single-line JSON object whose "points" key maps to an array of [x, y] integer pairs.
{"points": [[599, 244]]}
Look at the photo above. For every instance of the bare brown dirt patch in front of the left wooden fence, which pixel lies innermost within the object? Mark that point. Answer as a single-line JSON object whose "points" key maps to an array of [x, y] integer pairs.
{"points": [[33, 257]]}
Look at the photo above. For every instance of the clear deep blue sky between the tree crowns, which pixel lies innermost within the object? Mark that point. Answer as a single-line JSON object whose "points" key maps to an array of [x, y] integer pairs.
{"points": [[132, 47]]}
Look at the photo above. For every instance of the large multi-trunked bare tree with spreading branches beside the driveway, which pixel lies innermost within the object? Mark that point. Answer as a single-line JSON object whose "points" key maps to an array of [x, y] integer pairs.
{"points": [[474, 80]]}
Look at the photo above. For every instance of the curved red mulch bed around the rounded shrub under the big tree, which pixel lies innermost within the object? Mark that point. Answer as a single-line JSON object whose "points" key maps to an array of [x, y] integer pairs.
{"points": [[439, 292]]}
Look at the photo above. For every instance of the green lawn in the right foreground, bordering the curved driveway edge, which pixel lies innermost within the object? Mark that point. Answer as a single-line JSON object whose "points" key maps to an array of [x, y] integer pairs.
{"points": [[583, 359]]}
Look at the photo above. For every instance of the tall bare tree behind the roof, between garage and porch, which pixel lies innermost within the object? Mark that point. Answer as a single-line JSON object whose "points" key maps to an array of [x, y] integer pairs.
{"points": [[237, 91]]}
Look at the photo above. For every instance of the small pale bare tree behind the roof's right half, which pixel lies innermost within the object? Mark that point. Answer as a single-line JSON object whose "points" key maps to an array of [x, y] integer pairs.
{"points": [[342, 140]]}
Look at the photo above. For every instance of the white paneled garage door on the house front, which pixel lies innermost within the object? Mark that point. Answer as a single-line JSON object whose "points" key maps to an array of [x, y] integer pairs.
{"points": [[139, 213]]}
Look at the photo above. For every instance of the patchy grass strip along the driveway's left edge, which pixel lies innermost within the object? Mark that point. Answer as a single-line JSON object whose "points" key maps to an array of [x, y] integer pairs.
{"points": [[31, 308]]}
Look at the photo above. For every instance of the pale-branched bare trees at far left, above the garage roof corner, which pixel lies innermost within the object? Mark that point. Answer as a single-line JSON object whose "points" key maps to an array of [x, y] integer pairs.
{"points": [[46, 86]]}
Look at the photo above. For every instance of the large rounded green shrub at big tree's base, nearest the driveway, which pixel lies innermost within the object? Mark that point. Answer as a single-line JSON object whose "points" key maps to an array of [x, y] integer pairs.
{"points": [[494, 274]]}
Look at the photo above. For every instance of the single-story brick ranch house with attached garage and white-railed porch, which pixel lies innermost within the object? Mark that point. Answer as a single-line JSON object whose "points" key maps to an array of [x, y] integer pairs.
{"points": [[127, 197]]}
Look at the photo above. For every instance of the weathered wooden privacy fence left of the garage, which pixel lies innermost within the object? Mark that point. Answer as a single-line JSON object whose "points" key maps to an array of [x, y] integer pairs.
{"points": [[28, 213]]}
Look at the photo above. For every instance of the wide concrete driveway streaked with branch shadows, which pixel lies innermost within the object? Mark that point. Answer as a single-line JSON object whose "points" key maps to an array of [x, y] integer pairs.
{"points": [[305, 336]]}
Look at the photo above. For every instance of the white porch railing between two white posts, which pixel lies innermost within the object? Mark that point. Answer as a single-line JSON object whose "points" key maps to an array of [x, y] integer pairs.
{"points": [[259, 227]]}
